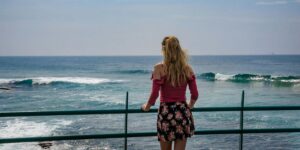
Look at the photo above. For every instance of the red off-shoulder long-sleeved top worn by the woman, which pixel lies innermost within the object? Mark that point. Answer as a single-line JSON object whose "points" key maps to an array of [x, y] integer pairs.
{"points": [[169, 93]]}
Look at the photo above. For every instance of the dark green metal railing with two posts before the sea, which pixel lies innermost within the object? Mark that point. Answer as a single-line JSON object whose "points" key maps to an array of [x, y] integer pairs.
{"points": [[126, 111]]}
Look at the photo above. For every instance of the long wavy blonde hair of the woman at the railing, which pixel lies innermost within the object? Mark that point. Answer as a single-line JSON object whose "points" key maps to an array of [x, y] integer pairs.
{"points": [[176, 60]]}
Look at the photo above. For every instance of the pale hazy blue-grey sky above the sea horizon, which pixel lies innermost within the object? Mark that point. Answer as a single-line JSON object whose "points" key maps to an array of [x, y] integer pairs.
{"points": [[137, 27]]}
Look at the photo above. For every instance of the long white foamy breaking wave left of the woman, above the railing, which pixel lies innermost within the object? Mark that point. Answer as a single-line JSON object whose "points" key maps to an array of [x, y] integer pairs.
{"points": [[49, 80]]}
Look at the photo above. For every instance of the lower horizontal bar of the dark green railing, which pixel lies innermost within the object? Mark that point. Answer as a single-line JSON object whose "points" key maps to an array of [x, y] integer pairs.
{"points": [[141, 134]]}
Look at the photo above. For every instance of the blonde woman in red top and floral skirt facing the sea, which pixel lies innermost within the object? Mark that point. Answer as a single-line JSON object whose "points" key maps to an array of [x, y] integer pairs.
{"points": [[171, 77]]}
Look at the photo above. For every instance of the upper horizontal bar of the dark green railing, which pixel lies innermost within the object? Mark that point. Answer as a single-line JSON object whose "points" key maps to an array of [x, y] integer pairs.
{"points": [[121, 111]]}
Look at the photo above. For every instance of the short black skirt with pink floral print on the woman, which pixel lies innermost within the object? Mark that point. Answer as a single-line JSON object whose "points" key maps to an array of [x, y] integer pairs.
{"points": [[174, 121]]}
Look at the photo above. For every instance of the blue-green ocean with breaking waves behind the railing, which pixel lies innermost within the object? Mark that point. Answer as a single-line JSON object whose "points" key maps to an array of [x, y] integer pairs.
{"points": [[82, 83]]}
